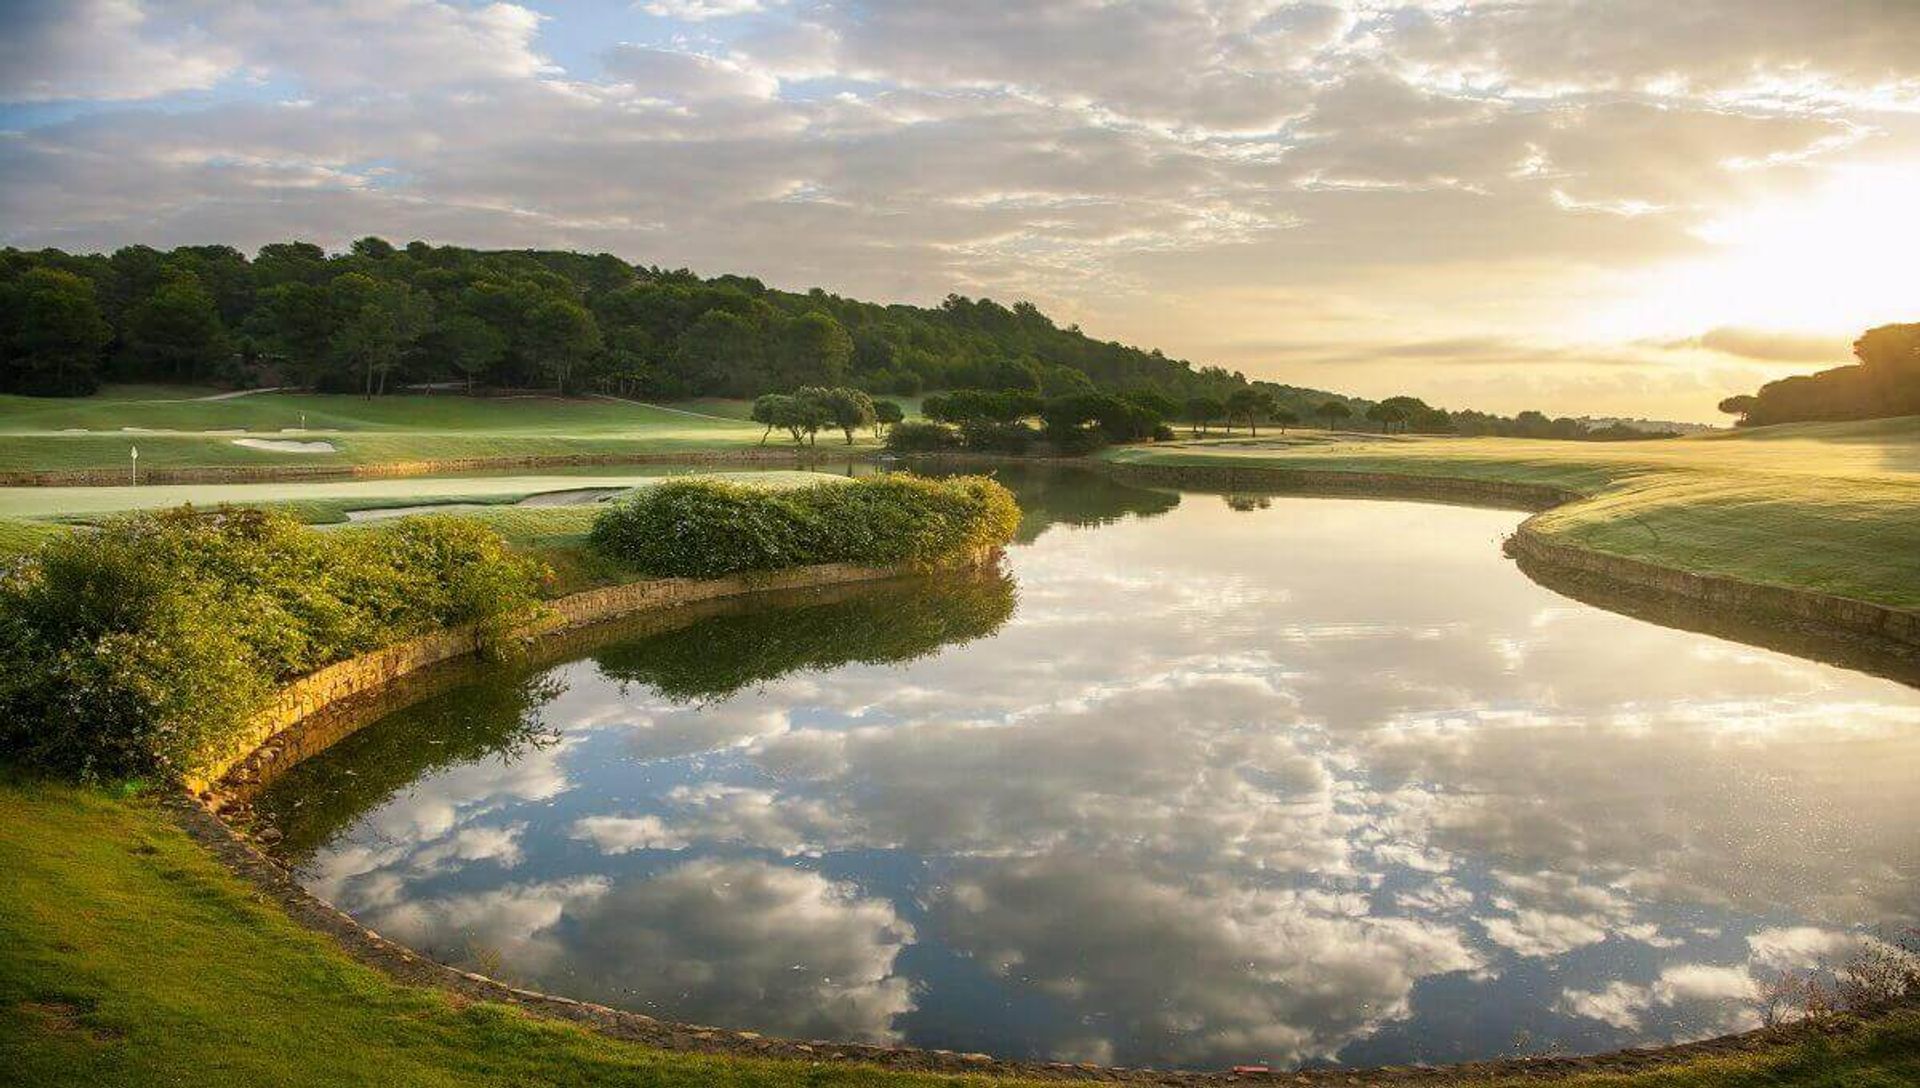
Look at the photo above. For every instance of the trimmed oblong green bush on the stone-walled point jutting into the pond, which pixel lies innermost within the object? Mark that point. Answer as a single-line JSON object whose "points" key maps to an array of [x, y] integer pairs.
{"points": [[708, 529]]}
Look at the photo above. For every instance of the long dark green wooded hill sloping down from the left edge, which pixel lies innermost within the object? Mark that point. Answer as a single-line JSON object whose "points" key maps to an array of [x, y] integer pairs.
{"points": [[383, 318]]}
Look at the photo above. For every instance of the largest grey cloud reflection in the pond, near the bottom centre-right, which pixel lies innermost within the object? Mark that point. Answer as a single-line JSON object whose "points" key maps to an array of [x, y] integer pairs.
{"points": [[1207, 976]]}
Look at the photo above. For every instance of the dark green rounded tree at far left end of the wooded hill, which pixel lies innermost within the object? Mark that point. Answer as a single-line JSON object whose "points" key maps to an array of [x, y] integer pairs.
{"points": [[53, 335]]}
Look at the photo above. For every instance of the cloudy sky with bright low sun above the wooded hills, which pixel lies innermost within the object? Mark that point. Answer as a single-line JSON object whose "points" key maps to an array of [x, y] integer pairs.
{"points": [[1577, 206]]}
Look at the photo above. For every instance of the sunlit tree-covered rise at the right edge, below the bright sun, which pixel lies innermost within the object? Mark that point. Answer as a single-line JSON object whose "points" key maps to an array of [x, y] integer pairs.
{"points": [[1884, 383]]}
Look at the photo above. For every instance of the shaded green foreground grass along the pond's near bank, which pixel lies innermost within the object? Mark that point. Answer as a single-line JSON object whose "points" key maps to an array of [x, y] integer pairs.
{"points": [[128, 957]]}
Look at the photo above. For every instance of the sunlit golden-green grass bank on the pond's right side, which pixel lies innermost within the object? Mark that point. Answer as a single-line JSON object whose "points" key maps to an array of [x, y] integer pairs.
{"points": [[1831, 508]]}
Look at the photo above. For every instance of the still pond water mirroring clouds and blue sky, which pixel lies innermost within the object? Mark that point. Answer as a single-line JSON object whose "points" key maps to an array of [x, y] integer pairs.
{"points": [[1193, 782]]}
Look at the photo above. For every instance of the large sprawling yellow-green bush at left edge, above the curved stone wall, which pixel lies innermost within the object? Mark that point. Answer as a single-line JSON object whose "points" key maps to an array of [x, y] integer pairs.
{"points": [[141, 650]]}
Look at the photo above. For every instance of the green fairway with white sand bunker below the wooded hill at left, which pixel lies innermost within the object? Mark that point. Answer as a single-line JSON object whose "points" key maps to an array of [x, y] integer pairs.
{"points": [[45, 435]]}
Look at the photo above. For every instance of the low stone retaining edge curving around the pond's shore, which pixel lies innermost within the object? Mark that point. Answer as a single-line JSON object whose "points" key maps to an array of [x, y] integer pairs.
{"points": [[322, 709]]}
